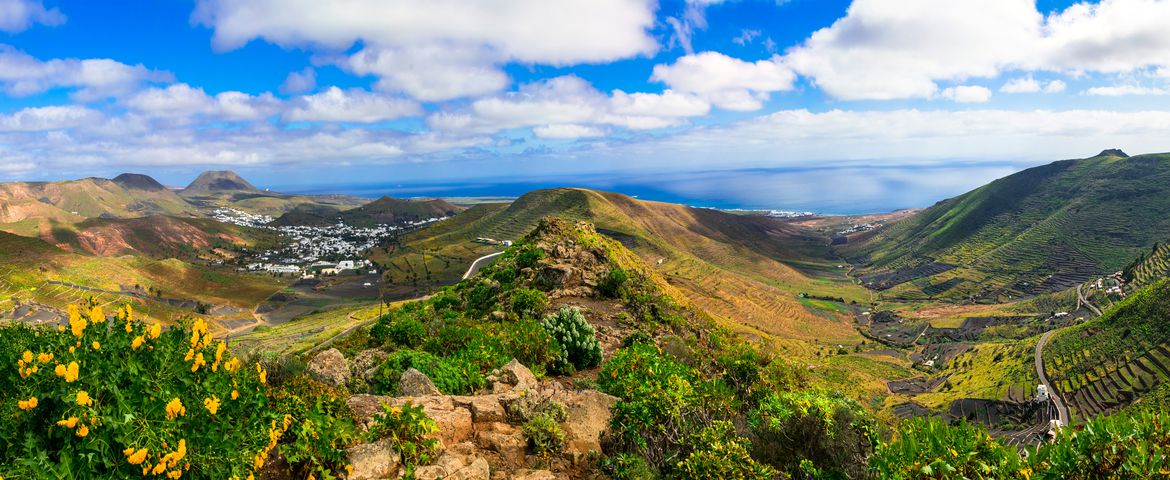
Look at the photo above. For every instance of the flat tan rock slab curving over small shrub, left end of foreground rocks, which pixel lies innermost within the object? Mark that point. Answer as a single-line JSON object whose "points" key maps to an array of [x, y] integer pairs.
{"points": [[455, 423]]}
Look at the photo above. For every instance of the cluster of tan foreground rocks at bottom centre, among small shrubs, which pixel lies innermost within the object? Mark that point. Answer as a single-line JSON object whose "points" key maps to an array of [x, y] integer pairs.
{"points": [[480, 438]]}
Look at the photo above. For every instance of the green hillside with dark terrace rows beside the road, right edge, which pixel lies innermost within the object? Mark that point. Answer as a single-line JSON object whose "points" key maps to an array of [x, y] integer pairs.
{"points": [[1112, 361]]}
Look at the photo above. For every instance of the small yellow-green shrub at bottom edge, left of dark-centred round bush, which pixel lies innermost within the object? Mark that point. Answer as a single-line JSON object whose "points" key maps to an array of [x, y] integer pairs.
{"points": [[721, 455]]}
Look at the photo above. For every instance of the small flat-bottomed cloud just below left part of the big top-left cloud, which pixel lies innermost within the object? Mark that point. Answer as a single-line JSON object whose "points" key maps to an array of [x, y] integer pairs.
{"points": [[350, 106]]}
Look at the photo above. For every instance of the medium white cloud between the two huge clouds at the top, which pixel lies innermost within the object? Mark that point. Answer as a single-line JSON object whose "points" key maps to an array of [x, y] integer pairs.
{"points": [[727, 83]]}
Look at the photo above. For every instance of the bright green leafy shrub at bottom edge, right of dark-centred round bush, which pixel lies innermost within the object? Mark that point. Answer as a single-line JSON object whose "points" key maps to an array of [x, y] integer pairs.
{"points": [[931, 449]]}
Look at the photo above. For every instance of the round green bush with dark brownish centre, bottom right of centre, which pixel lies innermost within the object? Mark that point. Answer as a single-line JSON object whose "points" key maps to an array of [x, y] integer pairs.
{"points": [[828, 431]]}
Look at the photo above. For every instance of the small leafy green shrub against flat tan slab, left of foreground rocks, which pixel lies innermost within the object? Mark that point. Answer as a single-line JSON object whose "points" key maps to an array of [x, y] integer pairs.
{"points": [[410, 431]]}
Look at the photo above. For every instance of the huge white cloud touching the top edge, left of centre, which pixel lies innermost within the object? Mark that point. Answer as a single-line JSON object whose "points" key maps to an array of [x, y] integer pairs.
{"points": [[441, 50]]}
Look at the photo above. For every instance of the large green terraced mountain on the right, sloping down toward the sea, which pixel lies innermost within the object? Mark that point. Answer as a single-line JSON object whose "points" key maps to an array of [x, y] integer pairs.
{"points": [[1042, 230]]}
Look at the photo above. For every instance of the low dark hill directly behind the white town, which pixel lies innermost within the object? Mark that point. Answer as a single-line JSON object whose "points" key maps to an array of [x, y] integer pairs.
{"points": [[383, 211]]}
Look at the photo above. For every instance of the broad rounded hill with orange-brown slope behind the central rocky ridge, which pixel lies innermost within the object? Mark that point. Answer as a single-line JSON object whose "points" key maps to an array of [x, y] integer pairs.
{"points": [[747, 271]]}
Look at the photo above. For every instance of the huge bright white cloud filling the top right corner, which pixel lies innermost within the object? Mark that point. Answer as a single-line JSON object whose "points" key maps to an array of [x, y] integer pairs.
{"points": [[885, 50]]}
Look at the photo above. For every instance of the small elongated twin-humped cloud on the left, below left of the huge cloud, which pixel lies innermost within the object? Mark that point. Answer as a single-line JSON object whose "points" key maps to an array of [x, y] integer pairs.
{"points": [[183, 102]]}
